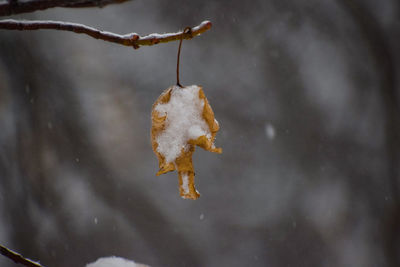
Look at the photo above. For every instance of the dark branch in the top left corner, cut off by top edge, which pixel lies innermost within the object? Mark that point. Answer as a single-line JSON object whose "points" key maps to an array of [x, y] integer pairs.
{"points": [[11, 7]]}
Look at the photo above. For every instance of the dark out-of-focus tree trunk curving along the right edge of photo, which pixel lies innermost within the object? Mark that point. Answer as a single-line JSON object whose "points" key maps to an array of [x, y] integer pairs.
{"points": [[382, 51]]}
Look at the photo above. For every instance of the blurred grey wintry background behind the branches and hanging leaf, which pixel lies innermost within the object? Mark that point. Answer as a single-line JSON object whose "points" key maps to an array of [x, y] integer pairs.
{"points": [[307, 96]]}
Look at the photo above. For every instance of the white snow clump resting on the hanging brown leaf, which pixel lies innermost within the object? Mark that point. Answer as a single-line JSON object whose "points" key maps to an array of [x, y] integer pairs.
{"points": [[184, 121]]}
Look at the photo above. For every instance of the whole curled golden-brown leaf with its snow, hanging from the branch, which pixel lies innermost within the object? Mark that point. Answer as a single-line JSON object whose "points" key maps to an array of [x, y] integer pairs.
{"points": [[181, 119]]}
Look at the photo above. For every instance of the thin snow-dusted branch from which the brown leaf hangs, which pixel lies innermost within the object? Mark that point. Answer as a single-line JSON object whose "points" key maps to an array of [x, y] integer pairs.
{"points": [[130, 39]]}
